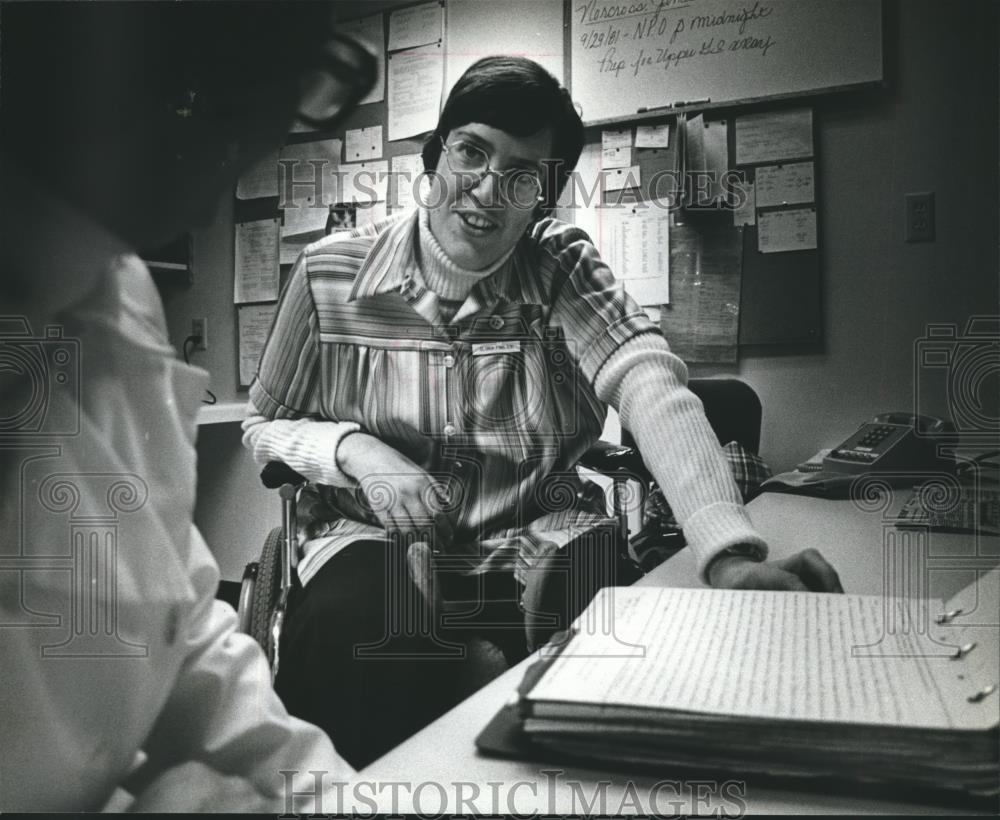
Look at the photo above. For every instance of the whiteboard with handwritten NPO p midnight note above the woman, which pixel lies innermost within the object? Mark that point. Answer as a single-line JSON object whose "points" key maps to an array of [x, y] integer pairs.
{"points": [[630, 55]]}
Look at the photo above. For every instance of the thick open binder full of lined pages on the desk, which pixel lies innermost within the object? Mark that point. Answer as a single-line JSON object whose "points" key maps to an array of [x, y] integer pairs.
{"points": [[778, 683]]}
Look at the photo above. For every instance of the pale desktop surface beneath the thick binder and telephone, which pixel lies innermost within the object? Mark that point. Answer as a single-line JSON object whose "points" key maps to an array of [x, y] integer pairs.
{"points": [[439, 767]]}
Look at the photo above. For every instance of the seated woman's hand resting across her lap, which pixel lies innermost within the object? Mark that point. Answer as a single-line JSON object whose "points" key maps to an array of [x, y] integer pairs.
{"points": [[400, 493]]}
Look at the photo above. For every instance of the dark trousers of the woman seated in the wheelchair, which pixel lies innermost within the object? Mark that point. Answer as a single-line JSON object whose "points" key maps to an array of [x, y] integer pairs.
{"points": [[362, 658]]}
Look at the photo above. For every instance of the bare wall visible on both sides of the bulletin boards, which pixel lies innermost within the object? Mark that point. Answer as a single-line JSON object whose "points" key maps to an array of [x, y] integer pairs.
{"points": [[934, 129]]}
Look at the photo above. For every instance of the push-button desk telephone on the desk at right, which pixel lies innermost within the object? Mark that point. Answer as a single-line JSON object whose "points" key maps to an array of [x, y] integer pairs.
{"points": [[893, 441]]}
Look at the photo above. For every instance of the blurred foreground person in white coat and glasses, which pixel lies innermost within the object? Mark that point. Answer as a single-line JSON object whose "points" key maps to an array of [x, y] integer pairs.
{"points": [[120, 675]]}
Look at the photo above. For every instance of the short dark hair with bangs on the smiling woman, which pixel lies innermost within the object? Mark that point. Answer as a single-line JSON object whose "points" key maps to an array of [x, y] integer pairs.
{"points": [[516, 95]]}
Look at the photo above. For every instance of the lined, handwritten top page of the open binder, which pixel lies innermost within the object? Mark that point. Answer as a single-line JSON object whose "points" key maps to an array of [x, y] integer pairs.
{"points": [[799, 656]]}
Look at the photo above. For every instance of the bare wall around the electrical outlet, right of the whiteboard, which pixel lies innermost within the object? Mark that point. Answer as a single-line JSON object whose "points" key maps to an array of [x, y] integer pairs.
{"points": [[935, 130]]}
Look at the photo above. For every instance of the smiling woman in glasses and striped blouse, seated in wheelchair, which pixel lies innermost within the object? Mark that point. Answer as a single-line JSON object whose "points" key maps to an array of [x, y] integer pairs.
{"points": [[436, 377]]}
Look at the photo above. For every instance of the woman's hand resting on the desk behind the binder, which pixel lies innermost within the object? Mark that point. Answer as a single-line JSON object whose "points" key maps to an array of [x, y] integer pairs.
{"points": [[805, 571]]}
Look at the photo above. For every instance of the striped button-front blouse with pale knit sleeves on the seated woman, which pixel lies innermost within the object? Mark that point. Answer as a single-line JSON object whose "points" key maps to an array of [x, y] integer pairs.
{"points": [[498, 405]]}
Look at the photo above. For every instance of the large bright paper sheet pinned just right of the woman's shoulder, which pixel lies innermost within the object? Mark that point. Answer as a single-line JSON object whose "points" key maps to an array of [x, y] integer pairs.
{"points": [[635, 244]]}
